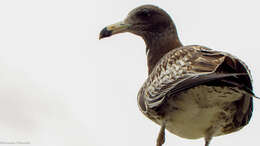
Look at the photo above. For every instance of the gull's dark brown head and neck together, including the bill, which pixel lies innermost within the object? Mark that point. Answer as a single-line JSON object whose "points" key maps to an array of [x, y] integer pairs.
{"points": [[154, 25]]}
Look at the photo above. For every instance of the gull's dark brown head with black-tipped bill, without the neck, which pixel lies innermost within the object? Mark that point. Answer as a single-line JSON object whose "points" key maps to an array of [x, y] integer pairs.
{"points": [[144, 20]]}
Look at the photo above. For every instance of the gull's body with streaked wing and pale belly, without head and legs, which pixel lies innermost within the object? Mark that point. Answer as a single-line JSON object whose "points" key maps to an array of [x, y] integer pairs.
{"points": [[183, 87]]}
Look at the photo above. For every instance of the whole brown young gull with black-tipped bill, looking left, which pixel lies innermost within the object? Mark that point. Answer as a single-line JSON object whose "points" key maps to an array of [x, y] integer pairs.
{"points": [[191, 91]]}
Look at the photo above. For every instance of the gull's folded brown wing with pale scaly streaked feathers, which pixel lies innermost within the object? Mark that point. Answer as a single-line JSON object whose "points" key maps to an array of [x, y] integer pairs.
{"points": [[189, 66]]}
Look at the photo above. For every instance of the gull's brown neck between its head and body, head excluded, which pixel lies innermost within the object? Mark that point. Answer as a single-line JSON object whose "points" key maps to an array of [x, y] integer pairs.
{"points": [[158, 44]]}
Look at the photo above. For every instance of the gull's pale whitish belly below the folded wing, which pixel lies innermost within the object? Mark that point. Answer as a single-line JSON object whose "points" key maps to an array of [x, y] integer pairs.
{"points": [[197, 112]]}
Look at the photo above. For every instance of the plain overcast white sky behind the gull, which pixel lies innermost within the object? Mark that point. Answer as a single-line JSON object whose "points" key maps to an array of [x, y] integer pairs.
{"points": [[61, 86]]}
